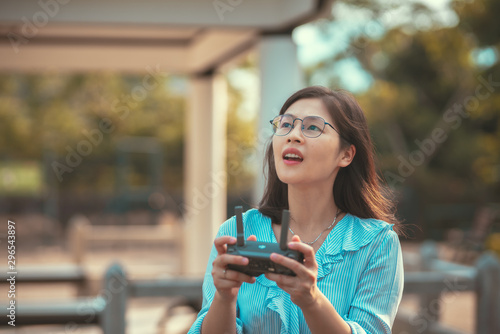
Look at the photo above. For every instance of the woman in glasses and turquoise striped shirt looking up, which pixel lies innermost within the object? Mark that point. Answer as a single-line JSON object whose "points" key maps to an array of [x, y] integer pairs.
{"points": [[320, 167]]}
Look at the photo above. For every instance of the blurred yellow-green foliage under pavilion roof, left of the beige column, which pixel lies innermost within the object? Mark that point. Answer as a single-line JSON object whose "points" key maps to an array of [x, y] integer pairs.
{"points": [[84, 115]]}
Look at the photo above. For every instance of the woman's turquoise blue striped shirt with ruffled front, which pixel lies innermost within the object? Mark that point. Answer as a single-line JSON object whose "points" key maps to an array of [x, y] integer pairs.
{"points": [[360, 270]]}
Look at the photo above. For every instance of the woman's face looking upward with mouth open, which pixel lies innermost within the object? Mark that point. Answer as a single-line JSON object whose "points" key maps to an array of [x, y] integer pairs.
{"points": [[302, 160]]}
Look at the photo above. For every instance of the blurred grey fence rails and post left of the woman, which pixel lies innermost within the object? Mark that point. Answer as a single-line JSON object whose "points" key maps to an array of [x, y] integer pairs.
{"points": [[108, 309]]}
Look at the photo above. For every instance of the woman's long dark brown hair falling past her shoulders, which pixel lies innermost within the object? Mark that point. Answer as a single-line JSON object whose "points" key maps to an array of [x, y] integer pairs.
{"points": [[357, 189]]}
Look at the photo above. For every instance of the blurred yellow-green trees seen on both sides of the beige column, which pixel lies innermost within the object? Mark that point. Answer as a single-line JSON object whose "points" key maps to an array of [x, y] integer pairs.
{"points": [[60, 113]]}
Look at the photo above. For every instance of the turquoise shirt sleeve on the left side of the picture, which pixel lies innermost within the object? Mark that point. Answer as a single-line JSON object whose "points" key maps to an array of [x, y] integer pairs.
{"points": [[209, 287]]}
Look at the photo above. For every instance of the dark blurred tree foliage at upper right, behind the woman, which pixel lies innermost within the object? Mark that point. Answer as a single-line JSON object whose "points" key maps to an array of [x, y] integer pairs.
{"points": [[434, 103]]}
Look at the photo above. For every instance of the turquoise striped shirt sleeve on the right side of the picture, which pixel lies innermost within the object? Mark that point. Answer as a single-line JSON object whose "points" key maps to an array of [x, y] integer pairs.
{"points": [[380, 288]]}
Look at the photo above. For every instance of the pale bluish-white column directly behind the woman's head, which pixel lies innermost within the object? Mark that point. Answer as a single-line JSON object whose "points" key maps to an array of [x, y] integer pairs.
{"points": [[280, 77]]}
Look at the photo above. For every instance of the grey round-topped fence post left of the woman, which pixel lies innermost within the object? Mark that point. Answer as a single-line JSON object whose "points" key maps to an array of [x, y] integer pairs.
{"points": [[115, 294]]}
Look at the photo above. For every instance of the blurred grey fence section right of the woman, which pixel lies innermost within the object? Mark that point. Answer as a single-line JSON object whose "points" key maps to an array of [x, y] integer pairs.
{"points": [[438, 277]]}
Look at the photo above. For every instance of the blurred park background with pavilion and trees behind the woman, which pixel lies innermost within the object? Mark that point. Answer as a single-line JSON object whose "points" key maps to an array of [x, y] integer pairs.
{"points": [[129, 131]]}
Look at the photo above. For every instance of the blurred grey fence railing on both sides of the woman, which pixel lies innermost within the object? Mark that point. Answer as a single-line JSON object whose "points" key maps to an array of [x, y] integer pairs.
{"points": [[431, 283]]}
